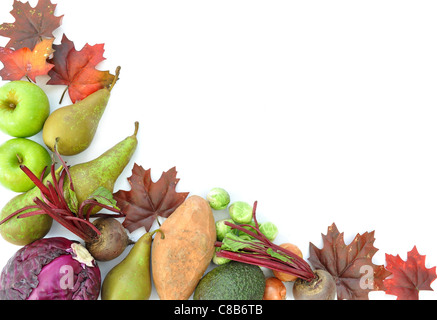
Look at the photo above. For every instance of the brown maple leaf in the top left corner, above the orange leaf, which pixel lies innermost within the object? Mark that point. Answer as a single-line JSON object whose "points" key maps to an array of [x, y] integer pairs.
{"points": [[31, 24]]}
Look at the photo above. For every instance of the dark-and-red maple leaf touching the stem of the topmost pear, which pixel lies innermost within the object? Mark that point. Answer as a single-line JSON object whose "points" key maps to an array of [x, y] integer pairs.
{"points": [[77, 69]]}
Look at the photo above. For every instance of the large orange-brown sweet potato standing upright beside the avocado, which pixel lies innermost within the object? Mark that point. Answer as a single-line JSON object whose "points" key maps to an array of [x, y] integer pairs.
{"points": [[182, 257]]}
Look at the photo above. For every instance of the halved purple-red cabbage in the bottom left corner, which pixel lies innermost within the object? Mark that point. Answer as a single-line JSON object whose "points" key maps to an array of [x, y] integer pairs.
{"points": [[51, 269]]}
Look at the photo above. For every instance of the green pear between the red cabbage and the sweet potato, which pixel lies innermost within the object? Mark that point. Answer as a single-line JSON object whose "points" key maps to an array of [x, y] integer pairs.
{"points": [[130, 279]]}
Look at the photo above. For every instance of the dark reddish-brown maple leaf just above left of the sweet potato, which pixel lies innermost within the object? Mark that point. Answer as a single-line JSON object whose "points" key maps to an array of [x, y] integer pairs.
{"points": [[147, 199]]}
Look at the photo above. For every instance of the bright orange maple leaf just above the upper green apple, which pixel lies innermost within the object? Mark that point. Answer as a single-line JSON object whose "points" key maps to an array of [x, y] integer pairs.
{"points": [[25, 62]]}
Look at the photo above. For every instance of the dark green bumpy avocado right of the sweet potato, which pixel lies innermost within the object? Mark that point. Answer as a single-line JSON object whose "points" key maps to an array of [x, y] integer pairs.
{"points": [[232, 281]]}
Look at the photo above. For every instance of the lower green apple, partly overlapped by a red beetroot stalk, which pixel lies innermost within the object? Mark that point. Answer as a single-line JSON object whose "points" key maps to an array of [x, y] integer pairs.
{"points": [[19, 151]]}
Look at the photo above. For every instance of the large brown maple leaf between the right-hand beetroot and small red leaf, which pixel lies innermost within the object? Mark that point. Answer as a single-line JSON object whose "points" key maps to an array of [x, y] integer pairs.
{"points": [[350, 265]]}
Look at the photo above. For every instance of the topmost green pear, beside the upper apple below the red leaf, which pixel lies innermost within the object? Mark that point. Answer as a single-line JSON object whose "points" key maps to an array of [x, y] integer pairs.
{"points": [[75, 125]]}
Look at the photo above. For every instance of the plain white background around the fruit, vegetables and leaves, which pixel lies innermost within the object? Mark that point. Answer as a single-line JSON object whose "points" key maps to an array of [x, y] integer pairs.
{"points": [[323, 111]]}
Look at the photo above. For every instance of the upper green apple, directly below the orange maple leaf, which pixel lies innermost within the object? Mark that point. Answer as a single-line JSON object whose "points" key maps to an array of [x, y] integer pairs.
{"points": [[24, 107]]}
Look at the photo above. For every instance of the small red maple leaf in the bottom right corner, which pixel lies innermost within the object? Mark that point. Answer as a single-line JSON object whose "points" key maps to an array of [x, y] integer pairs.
{"points": [[409, 277]]}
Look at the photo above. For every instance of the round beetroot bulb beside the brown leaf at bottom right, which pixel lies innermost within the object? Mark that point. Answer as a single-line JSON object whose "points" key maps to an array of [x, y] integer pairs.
{"points": [[321, 288]]}
